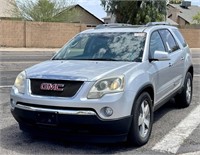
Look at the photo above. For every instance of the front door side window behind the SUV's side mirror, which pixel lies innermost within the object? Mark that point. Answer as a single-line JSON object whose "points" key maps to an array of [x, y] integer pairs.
{"points": [[156, 44]]}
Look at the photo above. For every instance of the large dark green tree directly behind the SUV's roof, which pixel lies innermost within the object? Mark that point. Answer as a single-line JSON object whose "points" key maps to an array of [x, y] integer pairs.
{"points": [[136, 12]]}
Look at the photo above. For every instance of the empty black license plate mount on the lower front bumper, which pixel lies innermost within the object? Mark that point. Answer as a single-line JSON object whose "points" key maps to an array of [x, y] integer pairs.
{"points": [[44, 118]]}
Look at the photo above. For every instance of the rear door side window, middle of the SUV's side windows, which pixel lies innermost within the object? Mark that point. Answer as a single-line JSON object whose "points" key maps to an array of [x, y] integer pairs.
{"points": [[169, 41]]}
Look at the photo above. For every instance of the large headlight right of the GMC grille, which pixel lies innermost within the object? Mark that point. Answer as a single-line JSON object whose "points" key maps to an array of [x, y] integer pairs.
{"points": [[106, 86]]}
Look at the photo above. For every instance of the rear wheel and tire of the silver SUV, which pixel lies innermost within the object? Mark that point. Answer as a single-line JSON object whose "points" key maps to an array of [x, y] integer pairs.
{"points": [[184, 99]]}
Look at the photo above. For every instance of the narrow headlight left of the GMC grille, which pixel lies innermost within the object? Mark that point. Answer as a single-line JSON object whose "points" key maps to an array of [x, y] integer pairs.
{"points": [[20, 82]]}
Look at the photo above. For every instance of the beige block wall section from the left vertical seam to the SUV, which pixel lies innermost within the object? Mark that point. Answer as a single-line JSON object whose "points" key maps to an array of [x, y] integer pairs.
{"points": [[40, 34]]}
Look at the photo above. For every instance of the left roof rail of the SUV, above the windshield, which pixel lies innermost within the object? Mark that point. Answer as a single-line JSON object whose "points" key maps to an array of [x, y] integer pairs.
{"points": [[115, 25]]}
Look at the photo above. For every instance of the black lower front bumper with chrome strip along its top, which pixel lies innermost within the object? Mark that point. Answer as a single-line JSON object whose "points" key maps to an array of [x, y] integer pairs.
{"points": [[72, 123]]}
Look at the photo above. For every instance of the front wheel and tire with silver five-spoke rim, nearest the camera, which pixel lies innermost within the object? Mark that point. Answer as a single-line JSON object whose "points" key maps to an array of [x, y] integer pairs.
{"points": [[142, 121]]}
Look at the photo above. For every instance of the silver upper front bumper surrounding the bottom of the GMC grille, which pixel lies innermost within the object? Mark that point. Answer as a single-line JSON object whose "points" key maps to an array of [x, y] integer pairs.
{"points": [[121, 103]]}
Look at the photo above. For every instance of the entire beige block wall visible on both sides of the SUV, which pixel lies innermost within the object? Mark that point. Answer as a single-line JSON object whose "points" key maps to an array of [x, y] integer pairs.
{"points": [[39, 34]]}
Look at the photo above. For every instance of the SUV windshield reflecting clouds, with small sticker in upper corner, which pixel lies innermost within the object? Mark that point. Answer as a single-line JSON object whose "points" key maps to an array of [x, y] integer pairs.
{"points": [[117, 46]]}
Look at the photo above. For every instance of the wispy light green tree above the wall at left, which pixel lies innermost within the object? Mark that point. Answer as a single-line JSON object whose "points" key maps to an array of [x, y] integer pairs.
{"points": [[41, 10]]}
